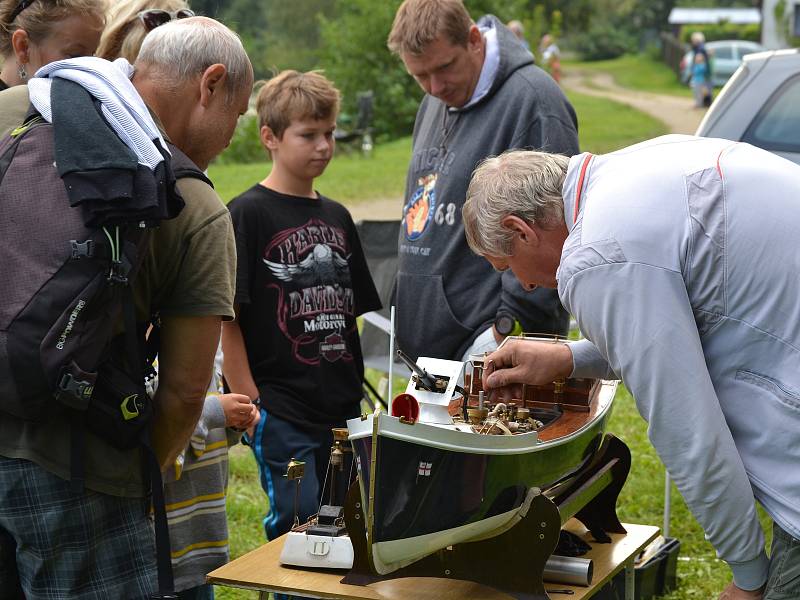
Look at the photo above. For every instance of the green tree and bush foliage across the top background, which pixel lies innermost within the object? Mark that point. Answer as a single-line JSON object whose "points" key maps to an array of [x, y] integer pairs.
{"points": [[347, 39]]}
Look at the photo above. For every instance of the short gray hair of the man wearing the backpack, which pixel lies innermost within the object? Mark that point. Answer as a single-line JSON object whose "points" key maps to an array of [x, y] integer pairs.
{"points": [[184, 48]]}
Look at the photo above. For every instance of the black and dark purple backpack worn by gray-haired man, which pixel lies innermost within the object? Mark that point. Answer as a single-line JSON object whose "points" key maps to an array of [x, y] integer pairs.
{"points": [[68, 330]]}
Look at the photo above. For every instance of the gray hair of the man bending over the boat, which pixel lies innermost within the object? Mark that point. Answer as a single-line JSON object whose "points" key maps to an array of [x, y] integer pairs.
{"points": [[522, 183]]}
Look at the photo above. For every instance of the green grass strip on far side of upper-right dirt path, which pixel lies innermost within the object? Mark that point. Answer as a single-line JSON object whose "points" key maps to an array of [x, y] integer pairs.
{"points": [[638, 72]]}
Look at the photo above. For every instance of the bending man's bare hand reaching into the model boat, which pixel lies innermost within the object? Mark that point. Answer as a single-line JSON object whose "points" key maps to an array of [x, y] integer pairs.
{"points": [[519, 362]]}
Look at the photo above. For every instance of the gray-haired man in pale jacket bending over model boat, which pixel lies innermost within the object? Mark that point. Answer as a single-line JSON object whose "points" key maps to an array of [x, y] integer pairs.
{"points": [[681, 270]]}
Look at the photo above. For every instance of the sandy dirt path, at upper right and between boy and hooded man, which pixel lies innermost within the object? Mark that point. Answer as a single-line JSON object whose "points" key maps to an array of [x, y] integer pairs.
{"points": [[674, 111]]}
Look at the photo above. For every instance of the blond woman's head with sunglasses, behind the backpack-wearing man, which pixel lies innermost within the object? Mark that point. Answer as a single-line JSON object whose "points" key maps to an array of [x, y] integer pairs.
{"points": [[129, 21]]}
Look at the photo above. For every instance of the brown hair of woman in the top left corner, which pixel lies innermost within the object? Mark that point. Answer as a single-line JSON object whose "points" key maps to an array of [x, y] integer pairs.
{"points": [[40, 18]]}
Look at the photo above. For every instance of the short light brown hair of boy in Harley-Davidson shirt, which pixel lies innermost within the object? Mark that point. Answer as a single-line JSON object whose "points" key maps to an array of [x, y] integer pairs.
{"points": [[292, 95]]}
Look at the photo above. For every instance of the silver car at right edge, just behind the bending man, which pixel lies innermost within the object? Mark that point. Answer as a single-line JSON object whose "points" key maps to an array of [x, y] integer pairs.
{"points": [[760, 104]]}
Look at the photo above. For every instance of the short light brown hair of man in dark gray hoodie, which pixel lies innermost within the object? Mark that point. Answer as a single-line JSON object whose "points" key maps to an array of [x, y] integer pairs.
{"points": [[419, 22]]}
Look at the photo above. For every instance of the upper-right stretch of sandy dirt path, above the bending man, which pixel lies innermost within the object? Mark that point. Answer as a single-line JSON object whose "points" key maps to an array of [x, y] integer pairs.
{"points": [[675, 112]]}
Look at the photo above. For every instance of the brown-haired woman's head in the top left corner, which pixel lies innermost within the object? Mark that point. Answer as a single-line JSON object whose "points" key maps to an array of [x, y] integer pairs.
{"points": [[34, 33]]}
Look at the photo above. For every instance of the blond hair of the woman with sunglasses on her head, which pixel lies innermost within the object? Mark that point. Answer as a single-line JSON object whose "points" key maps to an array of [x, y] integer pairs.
{"points": [[125, 32]]}
